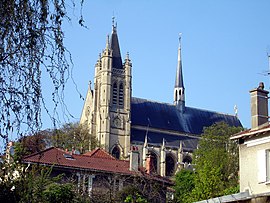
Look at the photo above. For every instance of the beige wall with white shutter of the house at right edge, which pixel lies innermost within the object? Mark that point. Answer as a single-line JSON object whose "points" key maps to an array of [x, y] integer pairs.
{"points": [[253, 165]]}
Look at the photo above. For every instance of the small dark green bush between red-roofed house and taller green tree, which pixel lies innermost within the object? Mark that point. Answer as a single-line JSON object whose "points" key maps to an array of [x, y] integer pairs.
{"points": [[184, 184]]}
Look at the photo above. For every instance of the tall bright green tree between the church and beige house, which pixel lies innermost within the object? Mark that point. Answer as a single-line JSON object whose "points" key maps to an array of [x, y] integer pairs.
{"points": [[216, 162]]}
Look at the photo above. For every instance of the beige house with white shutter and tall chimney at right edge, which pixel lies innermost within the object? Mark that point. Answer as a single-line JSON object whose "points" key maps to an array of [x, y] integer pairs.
{"points": [[254, 154]]}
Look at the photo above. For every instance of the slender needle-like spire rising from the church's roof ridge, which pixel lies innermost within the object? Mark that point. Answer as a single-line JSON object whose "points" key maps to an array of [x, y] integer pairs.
{"points": [[179, 89]]}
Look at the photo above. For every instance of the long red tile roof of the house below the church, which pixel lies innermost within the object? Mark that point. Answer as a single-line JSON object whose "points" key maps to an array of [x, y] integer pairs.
{"points": [[96, 160]]}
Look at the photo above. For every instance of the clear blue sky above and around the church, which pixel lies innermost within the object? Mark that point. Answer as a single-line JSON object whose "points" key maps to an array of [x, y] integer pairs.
{"points": [[224, 49]]}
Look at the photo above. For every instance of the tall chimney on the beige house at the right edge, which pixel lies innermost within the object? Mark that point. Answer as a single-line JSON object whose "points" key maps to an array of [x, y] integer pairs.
{"points": [[259, 106]]}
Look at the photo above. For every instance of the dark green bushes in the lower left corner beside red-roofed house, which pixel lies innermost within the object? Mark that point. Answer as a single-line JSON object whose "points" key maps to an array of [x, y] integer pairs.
{"points": [[22, 183]]}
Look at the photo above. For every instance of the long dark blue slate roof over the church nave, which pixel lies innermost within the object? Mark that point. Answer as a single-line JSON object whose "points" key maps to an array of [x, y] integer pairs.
{"points": [[168, 118]]}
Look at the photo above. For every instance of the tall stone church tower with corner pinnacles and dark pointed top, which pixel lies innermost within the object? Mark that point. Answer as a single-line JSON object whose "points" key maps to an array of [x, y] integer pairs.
{"points": [[107, 109]]}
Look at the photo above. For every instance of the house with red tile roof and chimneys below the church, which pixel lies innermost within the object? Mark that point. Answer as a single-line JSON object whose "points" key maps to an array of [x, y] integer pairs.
{"points": [[101, 175]]}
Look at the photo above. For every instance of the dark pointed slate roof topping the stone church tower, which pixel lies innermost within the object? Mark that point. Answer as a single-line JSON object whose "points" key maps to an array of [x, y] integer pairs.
{"points": [[116, 54]]}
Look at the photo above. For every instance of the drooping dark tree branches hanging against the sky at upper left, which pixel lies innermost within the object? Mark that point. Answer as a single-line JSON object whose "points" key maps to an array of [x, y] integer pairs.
{"points": [[31, 44]]}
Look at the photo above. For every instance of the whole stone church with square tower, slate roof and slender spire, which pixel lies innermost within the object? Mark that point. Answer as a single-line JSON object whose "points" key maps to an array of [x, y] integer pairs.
{"points": [[169, 133]]}
